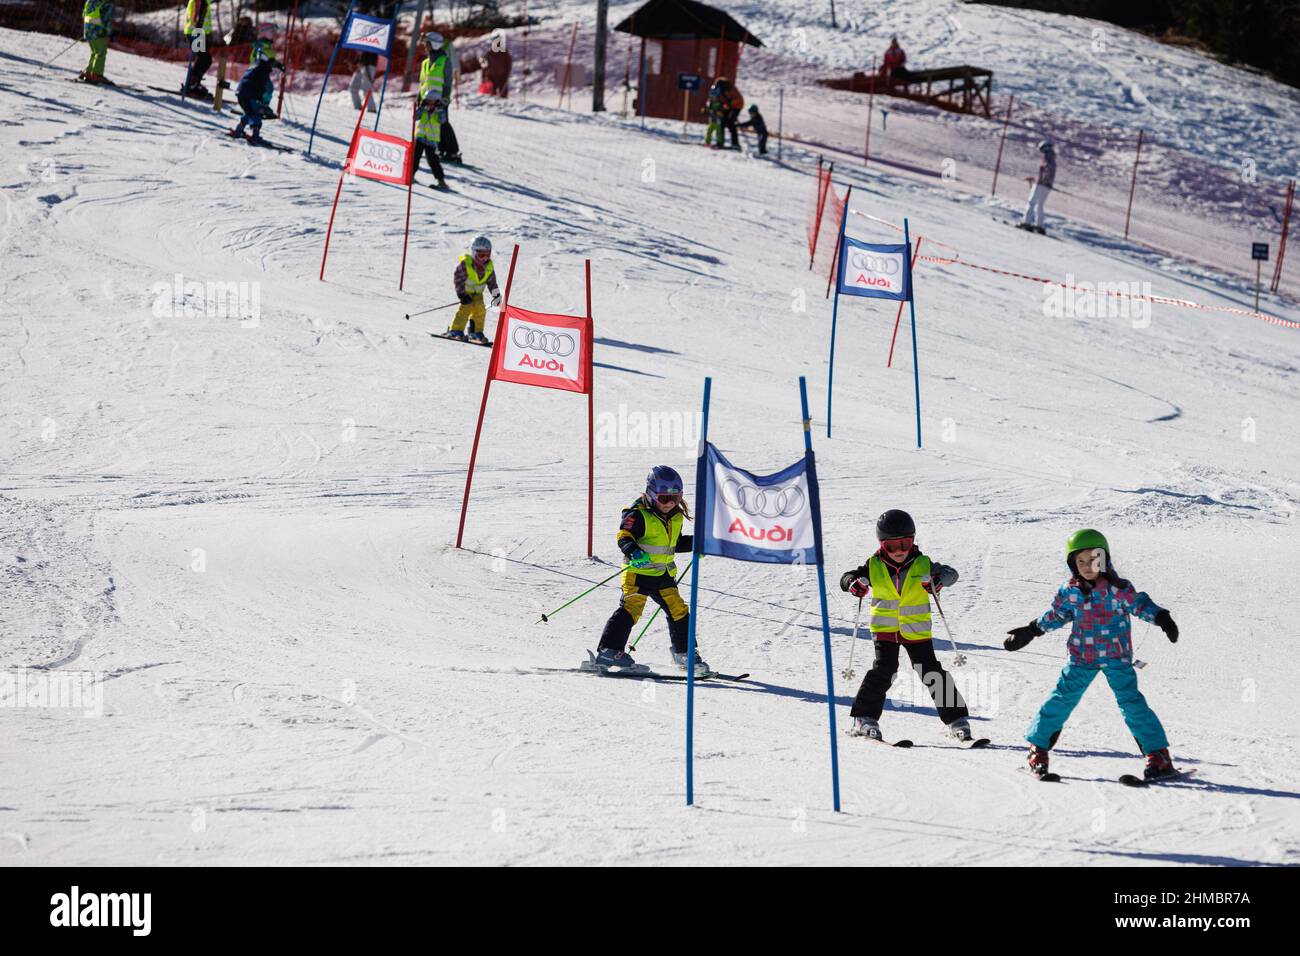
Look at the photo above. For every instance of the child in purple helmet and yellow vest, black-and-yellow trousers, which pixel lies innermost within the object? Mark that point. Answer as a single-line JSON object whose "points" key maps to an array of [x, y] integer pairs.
{"points": [[649, 538]]}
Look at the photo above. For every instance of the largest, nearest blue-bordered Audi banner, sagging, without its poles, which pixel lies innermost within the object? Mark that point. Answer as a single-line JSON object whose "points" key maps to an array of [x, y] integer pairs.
{"points": [[764, 518]]}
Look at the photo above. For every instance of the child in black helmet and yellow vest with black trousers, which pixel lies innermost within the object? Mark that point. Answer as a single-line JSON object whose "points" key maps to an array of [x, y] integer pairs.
{"points": [[900, 581]]}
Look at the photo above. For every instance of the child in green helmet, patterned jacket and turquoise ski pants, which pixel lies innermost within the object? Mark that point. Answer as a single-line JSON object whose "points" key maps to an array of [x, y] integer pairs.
{"points": [[1098, 604]]}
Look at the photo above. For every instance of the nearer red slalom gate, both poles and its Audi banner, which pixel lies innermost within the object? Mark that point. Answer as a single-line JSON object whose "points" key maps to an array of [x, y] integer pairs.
{"points": [[552, 352]]}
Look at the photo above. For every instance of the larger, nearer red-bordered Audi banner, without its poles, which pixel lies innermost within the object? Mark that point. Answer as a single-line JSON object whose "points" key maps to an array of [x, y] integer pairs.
{"points": [[545, 351]]}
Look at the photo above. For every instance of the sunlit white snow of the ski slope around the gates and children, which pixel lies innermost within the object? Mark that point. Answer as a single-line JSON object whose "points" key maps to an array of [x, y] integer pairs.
{"points": [[244, 530]]}
